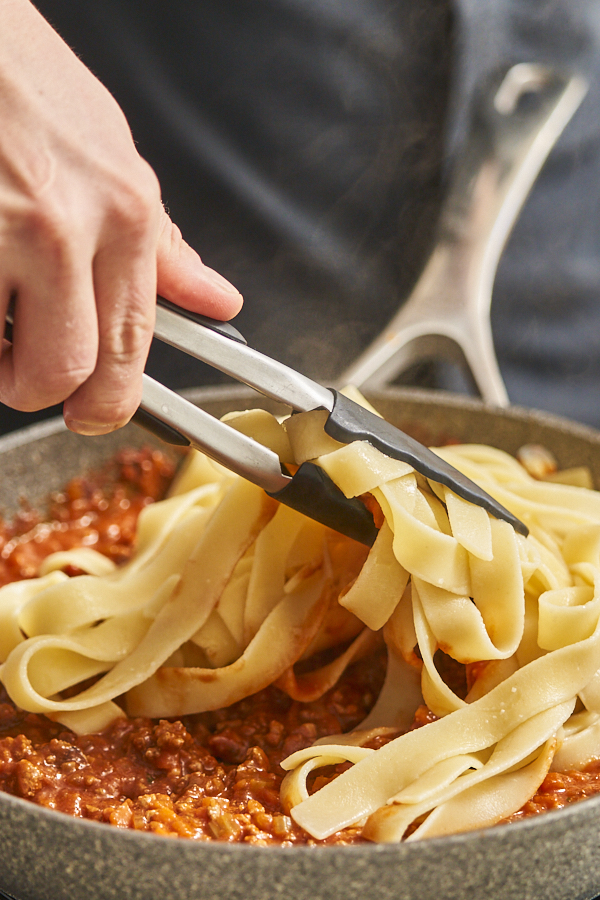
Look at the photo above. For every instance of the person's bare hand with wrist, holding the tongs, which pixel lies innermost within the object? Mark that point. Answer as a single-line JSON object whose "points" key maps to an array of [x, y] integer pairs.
{"points": [[85, 244]]}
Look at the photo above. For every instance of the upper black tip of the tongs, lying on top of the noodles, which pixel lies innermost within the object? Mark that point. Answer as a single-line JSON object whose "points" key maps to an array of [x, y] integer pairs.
{"points": [[350, 422]]}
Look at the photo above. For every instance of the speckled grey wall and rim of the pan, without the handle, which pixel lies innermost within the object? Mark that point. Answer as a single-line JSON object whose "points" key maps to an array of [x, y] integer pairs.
{"points": [[46, 855]]}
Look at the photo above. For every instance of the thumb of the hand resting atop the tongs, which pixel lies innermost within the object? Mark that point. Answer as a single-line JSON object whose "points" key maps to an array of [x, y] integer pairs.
{"points": [[183, 278]]}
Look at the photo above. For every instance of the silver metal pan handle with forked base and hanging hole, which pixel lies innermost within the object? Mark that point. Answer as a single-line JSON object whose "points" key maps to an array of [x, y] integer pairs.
{"points": [[514, 125]]}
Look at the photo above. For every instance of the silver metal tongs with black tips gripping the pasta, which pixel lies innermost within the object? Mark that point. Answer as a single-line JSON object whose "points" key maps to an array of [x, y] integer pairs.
{"points": [[309, 490]]}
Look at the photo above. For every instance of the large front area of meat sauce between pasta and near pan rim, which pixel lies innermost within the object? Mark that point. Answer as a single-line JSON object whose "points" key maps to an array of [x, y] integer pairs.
{"points": [[211, 776]]}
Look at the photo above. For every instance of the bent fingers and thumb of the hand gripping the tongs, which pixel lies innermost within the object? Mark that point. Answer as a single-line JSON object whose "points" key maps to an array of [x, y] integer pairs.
{"points": [[82, 329]]}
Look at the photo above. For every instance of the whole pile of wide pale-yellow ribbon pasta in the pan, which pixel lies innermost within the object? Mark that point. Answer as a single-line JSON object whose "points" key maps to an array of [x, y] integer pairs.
{"points": [[229, 592]]}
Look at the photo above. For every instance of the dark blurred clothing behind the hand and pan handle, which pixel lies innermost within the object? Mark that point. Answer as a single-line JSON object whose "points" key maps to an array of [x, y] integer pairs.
{"points": [[302, 147]]}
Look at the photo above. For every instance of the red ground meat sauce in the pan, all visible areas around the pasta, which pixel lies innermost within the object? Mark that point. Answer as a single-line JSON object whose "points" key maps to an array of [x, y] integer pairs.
{"points": [[212, 776]]}
